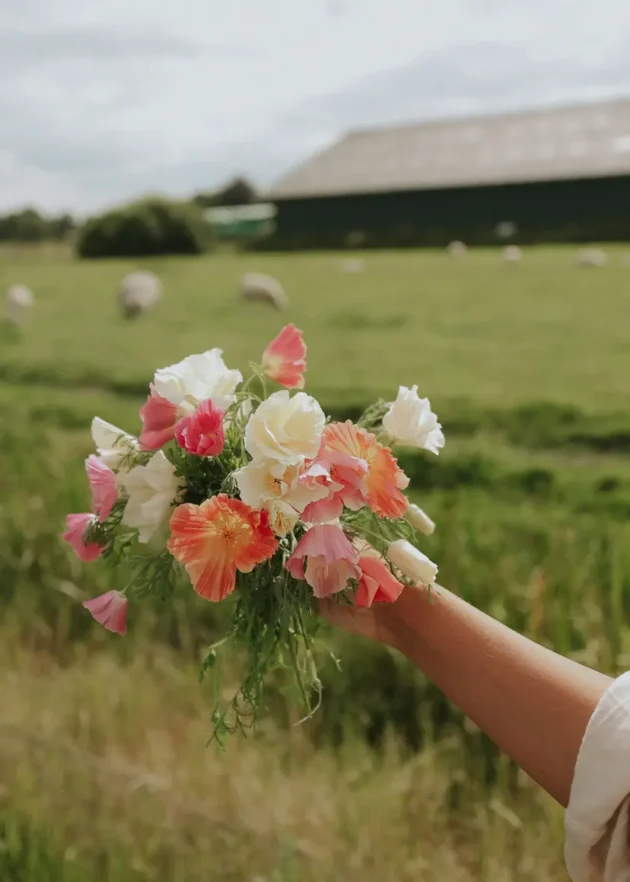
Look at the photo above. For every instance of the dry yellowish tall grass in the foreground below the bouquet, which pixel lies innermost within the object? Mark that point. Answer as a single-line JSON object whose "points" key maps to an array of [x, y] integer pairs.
{"points": [[107, 762]]}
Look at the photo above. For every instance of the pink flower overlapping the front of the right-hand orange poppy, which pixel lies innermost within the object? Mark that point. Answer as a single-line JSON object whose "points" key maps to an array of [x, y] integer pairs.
{"points": [[346, 481]]}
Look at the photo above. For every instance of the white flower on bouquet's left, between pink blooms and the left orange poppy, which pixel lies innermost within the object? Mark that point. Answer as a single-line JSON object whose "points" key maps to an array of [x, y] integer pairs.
{"points": [[152, 489]]}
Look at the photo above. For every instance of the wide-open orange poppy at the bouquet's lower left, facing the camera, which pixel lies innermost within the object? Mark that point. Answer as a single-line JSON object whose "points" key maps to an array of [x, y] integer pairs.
{"points": [[215, 539]]}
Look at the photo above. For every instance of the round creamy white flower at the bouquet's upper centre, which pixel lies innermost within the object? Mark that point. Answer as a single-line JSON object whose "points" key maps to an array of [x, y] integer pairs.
{"points": [[285, 429]]}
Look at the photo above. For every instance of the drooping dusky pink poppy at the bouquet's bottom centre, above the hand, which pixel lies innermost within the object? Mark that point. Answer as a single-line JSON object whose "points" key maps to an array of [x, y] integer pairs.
{"points": [[331, 561]]}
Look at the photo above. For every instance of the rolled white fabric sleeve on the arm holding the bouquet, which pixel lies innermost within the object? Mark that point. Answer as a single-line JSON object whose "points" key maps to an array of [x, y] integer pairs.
{"points": [[597, 838]]}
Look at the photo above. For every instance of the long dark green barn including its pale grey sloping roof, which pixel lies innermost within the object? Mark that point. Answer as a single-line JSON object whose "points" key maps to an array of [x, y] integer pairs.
{"points": [[555, 175]]}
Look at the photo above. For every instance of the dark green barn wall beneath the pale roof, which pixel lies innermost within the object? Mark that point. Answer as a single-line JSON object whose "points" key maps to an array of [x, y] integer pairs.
{"points": [[584, 210]]}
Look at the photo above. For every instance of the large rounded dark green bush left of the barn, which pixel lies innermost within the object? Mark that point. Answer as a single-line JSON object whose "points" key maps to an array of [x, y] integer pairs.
{"points": [[152, 226]]}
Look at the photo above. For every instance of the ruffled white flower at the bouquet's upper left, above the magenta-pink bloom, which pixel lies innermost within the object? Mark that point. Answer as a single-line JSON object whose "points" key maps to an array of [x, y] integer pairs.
{"points": [[196, 378]]}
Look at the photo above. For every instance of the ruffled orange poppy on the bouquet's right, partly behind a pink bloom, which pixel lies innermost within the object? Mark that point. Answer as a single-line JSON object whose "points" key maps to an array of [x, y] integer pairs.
{"points": [[384, 480]]}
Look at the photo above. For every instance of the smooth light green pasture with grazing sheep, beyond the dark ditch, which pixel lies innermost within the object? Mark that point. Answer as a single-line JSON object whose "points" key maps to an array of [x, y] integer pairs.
{"points": [[474, 329]]}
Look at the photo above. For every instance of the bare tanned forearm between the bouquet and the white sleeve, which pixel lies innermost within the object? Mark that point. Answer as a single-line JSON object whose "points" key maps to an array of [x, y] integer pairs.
{"points": [[533, 703]]}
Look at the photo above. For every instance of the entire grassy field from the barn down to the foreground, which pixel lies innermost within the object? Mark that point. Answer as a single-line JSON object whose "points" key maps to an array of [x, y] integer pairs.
{"points": [[104, 773]]}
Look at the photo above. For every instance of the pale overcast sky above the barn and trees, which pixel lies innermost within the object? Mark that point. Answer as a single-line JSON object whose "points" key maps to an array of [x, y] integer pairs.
{"points": [[108, 99]]}
